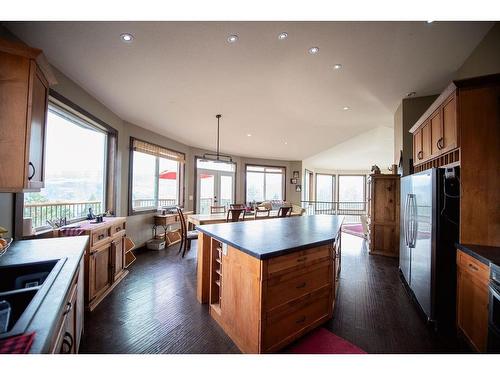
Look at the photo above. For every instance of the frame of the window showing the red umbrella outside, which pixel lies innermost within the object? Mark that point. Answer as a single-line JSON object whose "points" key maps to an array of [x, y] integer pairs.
{"points": [[181, 183]]}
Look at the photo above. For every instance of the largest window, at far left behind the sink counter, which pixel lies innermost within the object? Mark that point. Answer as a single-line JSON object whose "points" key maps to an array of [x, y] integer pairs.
{"points": [[75, 170]]}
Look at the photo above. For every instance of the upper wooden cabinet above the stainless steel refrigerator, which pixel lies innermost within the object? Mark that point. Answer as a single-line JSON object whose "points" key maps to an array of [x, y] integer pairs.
{"points": [[435, 133]]}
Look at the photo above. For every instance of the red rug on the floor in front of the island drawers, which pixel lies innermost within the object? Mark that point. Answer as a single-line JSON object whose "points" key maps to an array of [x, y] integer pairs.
{"points": [[322, 341]]}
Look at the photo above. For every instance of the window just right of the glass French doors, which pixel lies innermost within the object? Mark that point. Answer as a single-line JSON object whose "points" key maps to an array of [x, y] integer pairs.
{"points": [[265, 183]]}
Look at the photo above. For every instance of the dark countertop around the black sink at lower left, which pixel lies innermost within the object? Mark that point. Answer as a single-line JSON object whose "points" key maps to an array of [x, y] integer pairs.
{"points": [[46, 317]]}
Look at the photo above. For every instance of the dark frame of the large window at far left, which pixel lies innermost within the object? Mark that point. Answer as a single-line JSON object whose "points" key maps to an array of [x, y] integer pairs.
{"points": [[110, 164]]}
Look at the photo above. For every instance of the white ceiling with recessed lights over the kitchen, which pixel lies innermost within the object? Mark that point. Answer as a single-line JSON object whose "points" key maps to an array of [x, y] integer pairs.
{"points": [[176, 76]]}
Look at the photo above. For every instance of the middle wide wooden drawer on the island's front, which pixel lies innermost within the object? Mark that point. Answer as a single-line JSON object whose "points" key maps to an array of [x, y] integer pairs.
{"points": [[290, 286]]}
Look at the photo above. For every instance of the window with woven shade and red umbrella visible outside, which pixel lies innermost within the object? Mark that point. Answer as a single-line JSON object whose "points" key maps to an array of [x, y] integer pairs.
{"points": [[156, 175]]}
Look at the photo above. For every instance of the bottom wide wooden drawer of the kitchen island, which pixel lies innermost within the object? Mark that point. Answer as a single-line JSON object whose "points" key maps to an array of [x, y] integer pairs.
{"points": [[283, 326]]}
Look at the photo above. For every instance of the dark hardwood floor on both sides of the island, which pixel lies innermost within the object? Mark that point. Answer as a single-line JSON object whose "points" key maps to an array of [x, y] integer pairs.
{"points": [[154, 309]]}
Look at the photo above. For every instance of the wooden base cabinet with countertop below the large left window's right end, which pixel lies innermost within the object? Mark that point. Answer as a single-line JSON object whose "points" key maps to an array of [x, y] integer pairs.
{"points": [[105, 257]]}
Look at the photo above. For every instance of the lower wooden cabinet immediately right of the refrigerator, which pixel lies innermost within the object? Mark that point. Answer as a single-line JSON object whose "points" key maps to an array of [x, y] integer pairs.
{"points": [[472, 300]]}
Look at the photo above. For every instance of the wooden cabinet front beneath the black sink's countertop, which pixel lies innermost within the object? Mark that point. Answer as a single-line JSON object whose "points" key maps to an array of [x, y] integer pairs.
{"points": [[70, 326]]}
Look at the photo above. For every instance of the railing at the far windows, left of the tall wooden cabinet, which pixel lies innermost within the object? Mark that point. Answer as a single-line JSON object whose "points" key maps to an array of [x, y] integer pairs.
{"points": [[351, 210]]}
